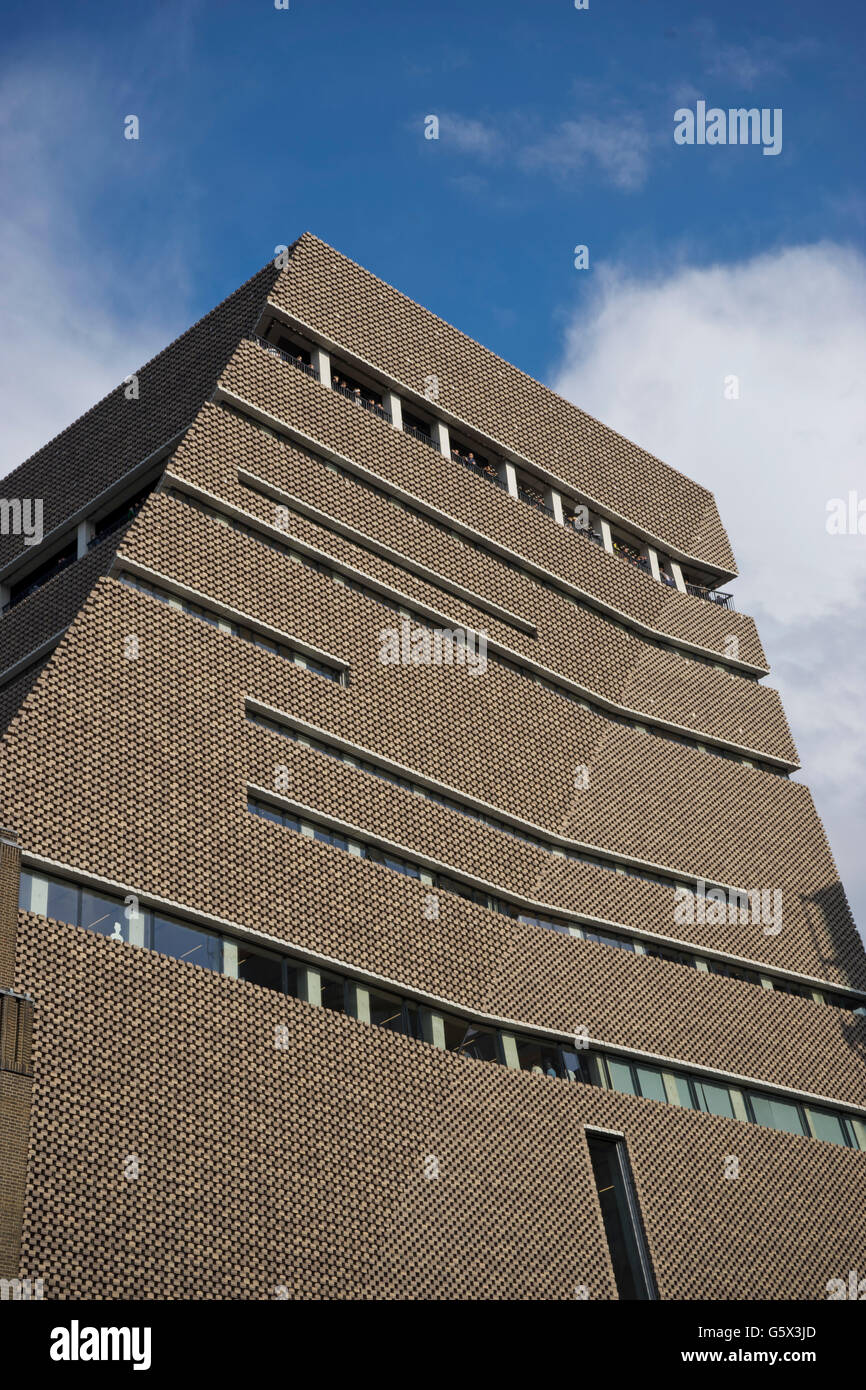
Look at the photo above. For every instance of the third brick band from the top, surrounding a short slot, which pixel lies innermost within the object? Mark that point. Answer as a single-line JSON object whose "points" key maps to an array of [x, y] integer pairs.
{"points": [[573, 641]]}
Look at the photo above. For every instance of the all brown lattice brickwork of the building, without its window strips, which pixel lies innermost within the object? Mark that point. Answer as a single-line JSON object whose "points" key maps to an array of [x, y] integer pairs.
{"points": [[302, 1170]]}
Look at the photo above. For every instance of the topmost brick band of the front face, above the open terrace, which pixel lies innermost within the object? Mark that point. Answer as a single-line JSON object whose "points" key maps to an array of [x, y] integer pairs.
{"points": [[351, 306]]}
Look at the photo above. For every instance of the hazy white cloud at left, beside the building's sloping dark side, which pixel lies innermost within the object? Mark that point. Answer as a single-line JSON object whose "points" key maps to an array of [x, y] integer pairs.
{"points": [[76, 312]]}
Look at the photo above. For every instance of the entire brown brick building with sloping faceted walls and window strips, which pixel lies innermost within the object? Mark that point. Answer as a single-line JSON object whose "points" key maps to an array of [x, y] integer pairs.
{"points": [[404, 892]]}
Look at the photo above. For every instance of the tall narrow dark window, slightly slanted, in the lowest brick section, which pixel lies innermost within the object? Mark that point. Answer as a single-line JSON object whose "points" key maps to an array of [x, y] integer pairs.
{"points": [[626, 1242]]}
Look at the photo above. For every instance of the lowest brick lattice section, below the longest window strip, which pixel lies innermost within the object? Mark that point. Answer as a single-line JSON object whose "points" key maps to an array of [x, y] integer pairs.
{"points": [[155, 1060]]}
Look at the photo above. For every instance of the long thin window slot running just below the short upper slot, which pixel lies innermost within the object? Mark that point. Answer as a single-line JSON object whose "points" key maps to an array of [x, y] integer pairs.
{"points": [[405, 608]]}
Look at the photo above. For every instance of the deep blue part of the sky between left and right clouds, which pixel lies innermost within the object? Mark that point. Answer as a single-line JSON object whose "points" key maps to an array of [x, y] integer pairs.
{"points": [[259, 124]]}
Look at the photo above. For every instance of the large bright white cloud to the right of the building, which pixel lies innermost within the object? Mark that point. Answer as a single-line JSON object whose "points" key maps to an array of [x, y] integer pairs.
{"points": [[651, 358]]}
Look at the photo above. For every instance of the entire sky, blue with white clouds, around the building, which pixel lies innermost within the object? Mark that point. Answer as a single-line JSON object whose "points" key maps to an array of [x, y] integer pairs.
{"points": [[557, 130]]}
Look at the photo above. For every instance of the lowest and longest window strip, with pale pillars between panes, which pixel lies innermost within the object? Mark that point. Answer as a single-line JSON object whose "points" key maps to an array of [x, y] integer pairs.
{"points": [[127, 921]]}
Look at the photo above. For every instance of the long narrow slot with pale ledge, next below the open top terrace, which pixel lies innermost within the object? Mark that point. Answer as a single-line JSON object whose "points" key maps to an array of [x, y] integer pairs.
{"points": [[479, 546]]}
